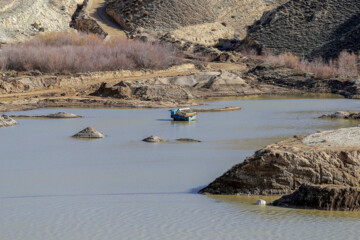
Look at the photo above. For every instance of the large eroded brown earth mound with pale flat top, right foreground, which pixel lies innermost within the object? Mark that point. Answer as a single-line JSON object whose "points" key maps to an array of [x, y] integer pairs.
{"points": [[330, 157]]}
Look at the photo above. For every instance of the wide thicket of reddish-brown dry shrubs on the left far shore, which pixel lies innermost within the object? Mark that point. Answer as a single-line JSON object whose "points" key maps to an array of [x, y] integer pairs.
{"points": [[72, 52]]}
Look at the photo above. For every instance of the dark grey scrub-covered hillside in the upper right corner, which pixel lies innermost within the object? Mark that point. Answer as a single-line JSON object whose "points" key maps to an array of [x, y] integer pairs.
{"points": [[310, 27]]}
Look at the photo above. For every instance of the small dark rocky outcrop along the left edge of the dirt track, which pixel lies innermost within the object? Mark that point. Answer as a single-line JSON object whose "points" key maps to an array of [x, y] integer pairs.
{"points": [[82, 21]]}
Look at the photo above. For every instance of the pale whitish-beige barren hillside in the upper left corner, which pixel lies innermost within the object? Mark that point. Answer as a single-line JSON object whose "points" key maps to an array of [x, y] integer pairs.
{"points": [[20, 19]]}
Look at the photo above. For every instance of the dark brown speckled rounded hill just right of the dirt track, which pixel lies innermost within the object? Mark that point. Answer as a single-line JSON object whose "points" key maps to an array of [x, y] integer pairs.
{"points": [[160, 15]]}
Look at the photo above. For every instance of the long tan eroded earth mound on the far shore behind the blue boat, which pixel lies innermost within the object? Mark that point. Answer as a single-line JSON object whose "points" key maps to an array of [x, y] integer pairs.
{"points": [[217, 83]]}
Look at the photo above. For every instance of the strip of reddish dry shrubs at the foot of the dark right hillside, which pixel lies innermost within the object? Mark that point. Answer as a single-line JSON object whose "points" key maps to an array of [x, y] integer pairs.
{"points": [[345, 66]]}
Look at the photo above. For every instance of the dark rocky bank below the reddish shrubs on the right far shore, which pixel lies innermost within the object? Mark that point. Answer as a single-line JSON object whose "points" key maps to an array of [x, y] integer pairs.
{"points": [[292, 79]]}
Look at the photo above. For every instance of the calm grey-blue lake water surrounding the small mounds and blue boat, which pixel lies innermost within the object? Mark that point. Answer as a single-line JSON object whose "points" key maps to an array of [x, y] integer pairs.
{"points": [[55, 187]]}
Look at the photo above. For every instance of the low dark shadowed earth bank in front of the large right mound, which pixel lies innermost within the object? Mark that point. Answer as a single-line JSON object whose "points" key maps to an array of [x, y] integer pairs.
{"points": [[324, 197]]}
